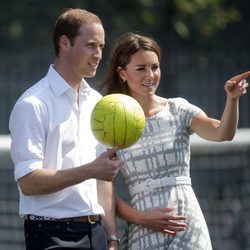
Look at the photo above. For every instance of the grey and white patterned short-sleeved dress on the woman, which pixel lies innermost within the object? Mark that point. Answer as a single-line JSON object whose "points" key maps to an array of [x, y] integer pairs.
{"points": [[164, 151]]}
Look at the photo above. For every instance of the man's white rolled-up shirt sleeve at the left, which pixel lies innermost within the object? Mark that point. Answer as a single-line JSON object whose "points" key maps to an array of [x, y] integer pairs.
{"points": [[27, 132]]}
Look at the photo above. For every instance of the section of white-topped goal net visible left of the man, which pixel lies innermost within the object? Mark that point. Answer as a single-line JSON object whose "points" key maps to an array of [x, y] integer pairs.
{"points": [[11, 228]]}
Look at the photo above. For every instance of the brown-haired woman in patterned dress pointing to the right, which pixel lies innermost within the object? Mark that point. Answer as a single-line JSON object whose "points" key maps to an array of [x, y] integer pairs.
{"points": [[164, 211]]}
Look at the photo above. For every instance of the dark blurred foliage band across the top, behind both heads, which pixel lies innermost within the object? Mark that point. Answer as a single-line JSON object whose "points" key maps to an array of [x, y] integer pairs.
{"points": [[28, 24]]}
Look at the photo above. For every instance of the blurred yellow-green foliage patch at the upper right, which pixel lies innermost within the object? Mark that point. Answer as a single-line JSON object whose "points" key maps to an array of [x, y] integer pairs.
{"points": [[203, 17]]}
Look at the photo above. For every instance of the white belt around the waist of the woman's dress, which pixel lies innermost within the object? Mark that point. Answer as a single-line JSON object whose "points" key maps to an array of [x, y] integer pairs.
{"points": [[151, 184]]}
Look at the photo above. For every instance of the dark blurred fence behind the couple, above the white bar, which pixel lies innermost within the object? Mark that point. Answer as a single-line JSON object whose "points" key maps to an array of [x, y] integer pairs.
{"points": [[198, 77]]}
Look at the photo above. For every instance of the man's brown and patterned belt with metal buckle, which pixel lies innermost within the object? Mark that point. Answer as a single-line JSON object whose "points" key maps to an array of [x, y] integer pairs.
{"points": [[90, 218]]}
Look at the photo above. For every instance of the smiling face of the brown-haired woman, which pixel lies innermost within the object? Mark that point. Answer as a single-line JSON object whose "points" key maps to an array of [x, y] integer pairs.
{"points": [[142, 74]]}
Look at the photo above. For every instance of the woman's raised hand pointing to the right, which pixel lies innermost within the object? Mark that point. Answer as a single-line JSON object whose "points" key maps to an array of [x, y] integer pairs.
{"points": [[237, 85]]}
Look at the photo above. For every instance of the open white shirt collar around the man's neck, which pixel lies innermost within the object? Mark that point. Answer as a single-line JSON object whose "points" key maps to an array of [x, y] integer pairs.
{"points": [[59, 86]]}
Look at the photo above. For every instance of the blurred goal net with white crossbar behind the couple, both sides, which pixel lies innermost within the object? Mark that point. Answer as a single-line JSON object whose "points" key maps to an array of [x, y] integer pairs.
{"points": [[220, 176]]}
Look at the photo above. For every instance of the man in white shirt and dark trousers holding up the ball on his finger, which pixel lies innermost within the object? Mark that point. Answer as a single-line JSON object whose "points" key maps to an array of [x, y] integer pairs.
{"points": [[54, 151]]}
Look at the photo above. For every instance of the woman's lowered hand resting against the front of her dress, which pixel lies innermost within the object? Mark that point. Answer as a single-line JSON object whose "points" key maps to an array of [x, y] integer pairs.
{"points": [[161, 220]]}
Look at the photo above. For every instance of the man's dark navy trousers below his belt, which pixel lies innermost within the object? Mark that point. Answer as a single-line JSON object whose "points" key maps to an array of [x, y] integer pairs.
{"points": [[45, 235]]}
